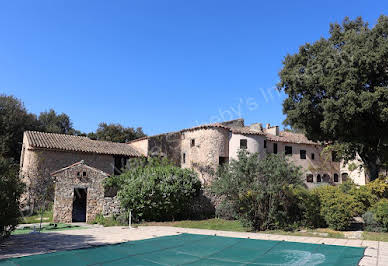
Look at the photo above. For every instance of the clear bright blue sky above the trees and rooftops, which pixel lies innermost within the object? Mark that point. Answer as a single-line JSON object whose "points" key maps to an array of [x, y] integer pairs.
{"points": [[161, 65]]}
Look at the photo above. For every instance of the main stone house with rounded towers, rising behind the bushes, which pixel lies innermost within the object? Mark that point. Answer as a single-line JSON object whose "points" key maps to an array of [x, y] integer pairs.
{"points": [[205, 147]]}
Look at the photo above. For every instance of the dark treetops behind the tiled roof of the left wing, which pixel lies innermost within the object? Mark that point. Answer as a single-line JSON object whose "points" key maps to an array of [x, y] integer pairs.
{"points": [[15, 119]]}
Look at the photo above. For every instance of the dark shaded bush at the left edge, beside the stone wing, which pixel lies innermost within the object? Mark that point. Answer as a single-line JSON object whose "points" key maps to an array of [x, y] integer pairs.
{"points": [[11, 188]]}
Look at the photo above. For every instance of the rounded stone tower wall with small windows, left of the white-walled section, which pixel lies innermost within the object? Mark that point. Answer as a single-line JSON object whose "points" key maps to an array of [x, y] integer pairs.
{"points": [[203, 156]]}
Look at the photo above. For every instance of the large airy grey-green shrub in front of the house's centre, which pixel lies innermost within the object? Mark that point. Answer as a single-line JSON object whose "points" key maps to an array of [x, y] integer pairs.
{"points": [[259, 191]]}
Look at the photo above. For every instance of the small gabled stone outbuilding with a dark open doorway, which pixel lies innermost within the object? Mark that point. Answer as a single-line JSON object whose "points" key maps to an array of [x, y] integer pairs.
{"points": [[79, 193]]}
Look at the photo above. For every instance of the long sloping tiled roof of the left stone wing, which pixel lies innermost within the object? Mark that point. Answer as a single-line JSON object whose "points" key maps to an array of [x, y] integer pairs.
{"points": [[42, 140]]}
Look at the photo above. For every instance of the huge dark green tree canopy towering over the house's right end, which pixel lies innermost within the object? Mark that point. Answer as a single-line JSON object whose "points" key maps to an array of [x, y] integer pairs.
{"points": [[337, 90]]}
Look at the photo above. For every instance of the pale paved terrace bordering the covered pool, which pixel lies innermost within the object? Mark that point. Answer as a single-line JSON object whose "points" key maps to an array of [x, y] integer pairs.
{"points": [[29, 244]]}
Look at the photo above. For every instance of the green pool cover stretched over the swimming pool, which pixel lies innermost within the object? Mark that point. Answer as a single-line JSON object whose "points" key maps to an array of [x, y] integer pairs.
{"points": [[191, 249]]}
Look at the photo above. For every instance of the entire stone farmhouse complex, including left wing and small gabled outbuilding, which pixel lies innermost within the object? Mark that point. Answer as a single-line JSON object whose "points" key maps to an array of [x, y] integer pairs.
{"points": [[78, 165]]}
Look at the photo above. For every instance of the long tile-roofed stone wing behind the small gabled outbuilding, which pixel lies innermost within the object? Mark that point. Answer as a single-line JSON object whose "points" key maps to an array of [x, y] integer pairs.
{"points": [[45, 153]]}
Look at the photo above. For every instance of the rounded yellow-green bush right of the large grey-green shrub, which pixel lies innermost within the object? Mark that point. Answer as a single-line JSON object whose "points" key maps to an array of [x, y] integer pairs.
{"points": [[337, 208]]}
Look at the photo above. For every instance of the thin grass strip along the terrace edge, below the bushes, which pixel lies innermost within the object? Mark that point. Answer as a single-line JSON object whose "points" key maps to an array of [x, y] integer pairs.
{"points": [[227, 225]]}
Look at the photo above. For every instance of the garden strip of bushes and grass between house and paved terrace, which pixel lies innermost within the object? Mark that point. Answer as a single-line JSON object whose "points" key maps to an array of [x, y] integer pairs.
{"points": [[265, 195]]}
